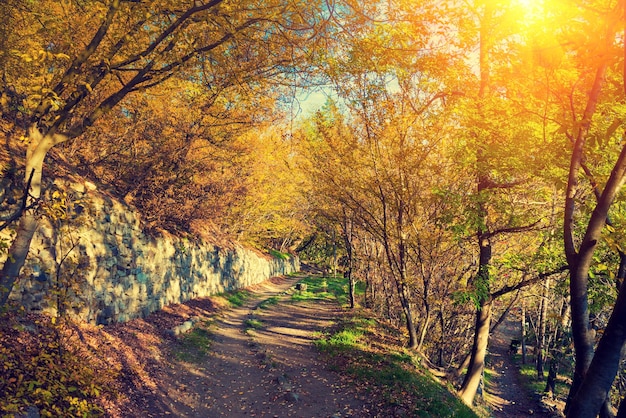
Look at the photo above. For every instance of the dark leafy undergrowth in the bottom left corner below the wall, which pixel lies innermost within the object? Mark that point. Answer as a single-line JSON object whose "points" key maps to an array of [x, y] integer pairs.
{"points": [[43, 366]]}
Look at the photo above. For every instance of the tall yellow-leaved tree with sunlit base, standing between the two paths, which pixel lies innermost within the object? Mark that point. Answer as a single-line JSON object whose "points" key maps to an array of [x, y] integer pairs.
{"points": [[499, 181]]}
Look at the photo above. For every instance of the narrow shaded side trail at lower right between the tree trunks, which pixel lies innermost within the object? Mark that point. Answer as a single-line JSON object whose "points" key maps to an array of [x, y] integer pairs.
{"points": [[505, 392]]}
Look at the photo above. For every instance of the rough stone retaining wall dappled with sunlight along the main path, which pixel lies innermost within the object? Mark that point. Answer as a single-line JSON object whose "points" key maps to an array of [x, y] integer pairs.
{"points": [[111, 271]]}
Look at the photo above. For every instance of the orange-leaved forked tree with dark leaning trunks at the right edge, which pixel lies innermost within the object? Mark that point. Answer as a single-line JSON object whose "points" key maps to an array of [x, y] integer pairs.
{"points": [[590, 390]]}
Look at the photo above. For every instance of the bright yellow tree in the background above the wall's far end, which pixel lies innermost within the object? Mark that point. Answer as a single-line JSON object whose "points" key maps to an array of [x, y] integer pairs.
{"points": [[274, 210]]}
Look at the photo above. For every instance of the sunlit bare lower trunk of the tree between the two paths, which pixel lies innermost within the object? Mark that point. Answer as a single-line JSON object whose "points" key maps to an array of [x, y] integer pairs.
{"points": [[479, 351]]}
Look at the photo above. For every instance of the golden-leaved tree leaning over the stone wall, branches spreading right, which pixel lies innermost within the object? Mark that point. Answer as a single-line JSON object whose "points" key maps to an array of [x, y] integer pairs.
{"points": [[86, 57]]}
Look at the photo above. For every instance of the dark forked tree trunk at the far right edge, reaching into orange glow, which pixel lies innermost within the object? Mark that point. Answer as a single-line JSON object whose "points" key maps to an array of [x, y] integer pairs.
{"points": [[580, 251]]}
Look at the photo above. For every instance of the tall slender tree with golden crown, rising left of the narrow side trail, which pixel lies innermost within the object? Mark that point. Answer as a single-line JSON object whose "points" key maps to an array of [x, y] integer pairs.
{"points": [[498, 172]]}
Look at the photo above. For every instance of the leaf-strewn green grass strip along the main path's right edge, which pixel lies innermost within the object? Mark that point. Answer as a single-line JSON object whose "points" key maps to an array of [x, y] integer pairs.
{"points": [[371, 354]]}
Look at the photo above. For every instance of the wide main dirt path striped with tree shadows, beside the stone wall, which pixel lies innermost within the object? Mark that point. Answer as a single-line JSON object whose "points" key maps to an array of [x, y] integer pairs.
{"points": [[271, 371]]}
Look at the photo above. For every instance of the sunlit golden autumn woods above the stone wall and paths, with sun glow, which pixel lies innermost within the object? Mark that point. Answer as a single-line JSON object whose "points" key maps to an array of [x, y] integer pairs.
{"points": [[470, 162]]}
